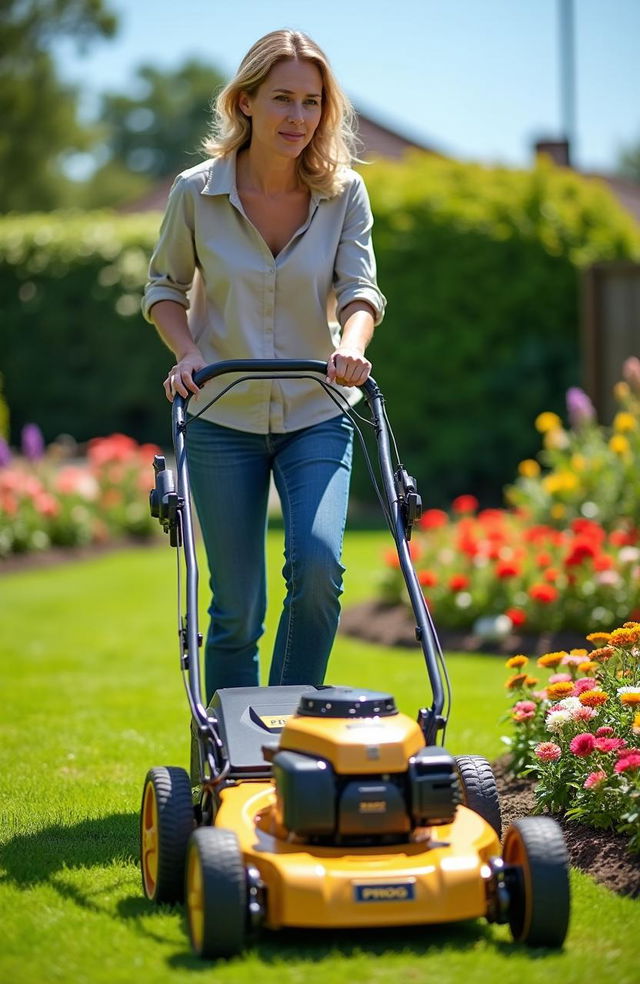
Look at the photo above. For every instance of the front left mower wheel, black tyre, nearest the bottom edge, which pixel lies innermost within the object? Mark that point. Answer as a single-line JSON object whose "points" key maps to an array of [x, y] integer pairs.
{"points": [[216, 893]]}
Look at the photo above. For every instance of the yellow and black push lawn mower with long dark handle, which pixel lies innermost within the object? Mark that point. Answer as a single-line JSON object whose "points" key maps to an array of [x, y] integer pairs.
{"points": [[326, 807]]}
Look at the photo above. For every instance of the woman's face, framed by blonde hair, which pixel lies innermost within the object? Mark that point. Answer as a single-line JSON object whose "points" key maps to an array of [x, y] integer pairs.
{"points": [[285, 111]]}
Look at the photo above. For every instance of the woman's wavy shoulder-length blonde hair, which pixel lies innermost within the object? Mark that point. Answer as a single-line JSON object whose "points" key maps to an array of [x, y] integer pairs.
{"points": [[333, 145]]}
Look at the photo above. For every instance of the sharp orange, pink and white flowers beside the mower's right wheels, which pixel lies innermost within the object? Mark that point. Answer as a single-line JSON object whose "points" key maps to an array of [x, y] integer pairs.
{"points": [[578, 732]]}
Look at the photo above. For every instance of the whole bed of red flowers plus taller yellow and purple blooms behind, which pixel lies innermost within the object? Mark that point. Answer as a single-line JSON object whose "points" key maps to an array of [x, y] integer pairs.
{"points": [[565, 553]]}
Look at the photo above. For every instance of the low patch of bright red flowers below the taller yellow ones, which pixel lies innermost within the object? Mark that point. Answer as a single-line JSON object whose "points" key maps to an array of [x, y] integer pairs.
{"points": [[495, 571]]}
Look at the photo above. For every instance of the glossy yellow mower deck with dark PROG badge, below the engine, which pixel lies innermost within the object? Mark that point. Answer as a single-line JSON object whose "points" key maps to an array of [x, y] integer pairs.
{"points": [[438, 879]]}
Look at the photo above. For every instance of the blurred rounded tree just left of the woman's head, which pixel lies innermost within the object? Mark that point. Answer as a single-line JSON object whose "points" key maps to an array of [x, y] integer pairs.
{"points": [[154, 134]]}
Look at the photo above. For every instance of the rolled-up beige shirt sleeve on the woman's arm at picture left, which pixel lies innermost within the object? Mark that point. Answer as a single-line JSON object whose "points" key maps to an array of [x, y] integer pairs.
{"points": [[173, 263]]}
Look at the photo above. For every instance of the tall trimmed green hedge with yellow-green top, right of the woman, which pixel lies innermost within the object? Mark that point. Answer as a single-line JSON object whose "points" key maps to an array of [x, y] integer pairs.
{"points": [[481, 269]]}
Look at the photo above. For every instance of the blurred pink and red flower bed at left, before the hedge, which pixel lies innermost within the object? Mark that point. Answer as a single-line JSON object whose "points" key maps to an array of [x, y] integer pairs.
{"points": [[51, 497]]}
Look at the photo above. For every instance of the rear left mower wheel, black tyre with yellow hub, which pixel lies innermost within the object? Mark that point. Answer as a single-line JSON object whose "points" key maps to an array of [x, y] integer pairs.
{"points": [[166, 823]]}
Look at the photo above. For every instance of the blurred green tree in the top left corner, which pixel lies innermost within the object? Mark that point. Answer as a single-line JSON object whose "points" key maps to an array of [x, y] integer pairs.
{"points": [[38, 111]]}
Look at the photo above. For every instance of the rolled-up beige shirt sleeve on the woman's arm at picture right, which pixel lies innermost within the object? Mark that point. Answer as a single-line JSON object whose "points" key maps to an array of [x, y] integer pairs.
{"points": [[355, 265]]}
